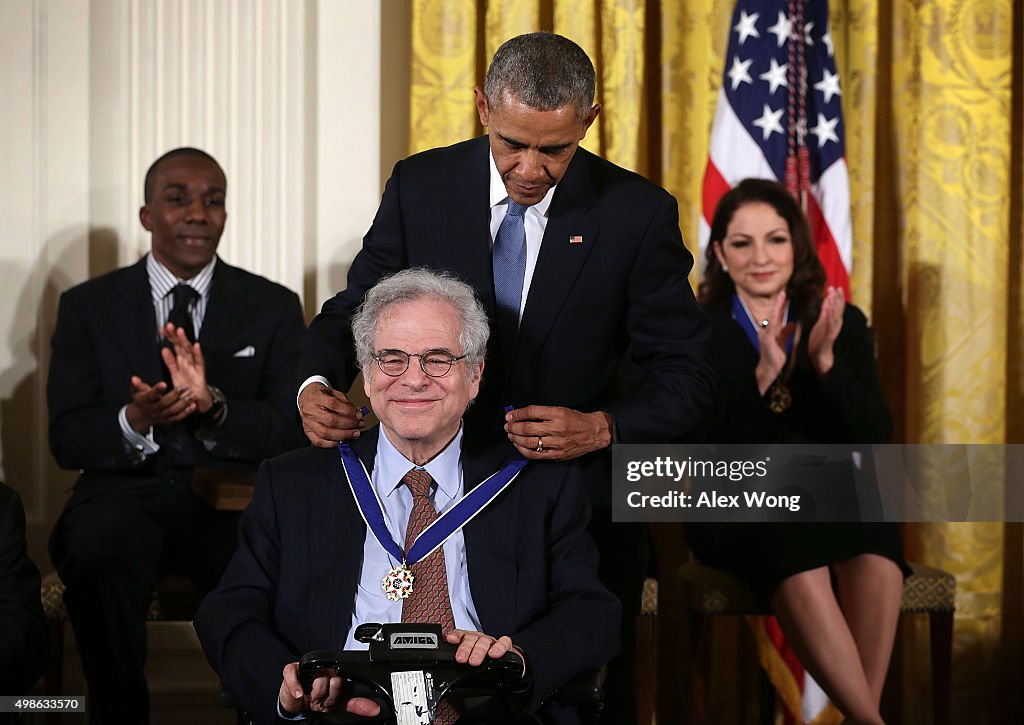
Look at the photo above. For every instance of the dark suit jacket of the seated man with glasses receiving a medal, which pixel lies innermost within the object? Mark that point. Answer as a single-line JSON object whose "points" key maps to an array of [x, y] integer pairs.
{"points": [[291, 587]]}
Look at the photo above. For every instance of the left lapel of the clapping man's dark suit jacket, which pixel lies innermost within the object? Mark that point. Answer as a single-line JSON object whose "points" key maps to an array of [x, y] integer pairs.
{"points": [[136, 321]]}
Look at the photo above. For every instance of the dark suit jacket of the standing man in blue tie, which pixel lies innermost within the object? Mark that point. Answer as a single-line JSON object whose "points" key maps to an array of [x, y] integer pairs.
{"points": [[623, 289]]}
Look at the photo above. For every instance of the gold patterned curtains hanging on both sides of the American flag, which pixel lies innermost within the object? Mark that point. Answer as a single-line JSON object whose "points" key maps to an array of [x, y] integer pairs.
{"points": [[932, 97]]}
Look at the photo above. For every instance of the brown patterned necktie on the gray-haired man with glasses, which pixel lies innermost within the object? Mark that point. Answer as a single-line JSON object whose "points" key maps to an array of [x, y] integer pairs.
{"points": [[430, 602]]}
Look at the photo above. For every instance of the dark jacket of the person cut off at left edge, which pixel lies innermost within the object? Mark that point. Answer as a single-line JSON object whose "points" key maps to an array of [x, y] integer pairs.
{"points": [[23, 627]]}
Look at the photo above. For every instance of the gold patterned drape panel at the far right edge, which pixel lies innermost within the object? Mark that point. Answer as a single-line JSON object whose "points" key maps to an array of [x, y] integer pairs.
{"points": [[951, 108]]}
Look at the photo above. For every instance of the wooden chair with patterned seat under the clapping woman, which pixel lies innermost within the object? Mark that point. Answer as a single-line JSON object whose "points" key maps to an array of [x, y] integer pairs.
{"points": [[692, 593]]}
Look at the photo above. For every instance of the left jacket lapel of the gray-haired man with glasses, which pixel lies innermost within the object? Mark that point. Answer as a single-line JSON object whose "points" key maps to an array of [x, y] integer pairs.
{"points": [[336, 535]]}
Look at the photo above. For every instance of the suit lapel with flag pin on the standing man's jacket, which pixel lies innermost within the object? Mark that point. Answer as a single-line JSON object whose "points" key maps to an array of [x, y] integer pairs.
{"points": [[561, 261]]}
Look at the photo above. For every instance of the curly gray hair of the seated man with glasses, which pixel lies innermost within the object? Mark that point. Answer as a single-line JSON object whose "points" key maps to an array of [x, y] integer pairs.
{"points": [[416, 284]]}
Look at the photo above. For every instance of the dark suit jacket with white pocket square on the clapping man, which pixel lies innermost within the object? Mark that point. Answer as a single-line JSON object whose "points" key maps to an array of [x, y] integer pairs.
{"points": [[106, 333]]}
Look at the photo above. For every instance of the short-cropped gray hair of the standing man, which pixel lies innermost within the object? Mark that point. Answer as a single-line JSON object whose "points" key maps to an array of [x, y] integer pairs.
{"points": [[544, 71]]}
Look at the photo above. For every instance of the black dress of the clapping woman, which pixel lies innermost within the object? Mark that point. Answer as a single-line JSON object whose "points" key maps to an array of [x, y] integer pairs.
{"points": [[844, 408]]}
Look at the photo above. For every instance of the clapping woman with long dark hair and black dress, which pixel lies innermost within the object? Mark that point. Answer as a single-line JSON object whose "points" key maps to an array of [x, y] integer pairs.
{"points": [[797, 365]]}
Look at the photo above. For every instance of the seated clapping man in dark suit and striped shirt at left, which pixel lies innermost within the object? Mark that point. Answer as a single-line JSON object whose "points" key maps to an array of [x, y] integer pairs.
{"points": [[137, 405]]}
